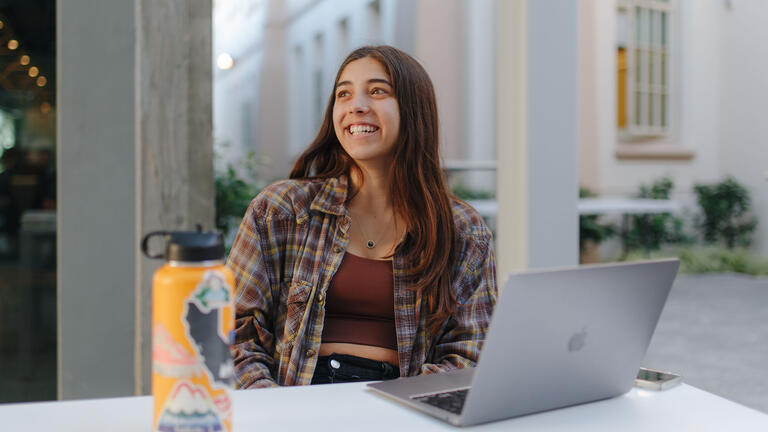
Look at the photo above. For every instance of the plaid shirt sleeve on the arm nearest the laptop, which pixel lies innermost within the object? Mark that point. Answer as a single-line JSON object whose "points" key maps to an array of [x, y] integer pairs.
{"points": [[459, 344]]}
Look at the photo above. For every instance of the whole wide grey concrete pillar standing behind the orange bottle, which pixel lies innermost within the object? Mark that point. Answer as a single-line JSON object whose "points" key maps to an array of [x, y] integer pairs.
{"points": [[134, 154]]}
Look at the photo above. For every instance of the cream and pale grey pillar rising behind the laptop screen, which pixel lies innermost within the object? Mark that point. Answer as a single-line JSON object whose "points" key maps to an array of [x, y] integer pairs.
{"points": [[537, 134]]}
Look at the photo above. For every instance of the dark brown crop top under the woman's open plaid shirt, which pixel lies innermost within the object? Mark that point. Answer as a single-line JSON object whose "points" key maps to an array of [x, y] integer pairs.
{"points": [[360, 303]]}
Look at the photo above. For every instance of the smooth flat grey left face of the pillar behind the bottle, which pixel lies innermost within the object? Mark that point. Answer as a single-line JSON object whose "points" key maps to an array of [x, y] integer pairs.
{"points": [[96, 192]]}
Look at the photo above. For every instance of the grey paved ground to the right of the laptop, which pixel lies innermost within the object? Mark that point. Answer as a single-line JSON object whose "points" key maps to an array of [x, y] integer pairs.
{"points": [[714, 332]]}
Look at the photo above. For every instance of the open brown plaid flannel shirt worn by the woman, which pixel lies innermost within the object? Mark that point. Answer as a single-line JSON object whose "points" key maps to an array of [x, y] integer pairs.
{"points": [[289, 246]]}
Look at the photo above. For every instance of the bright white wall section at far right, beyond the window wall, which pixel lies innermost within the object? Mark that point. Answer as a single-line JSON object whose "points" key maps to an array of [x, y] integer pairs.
{"points": [[744, 104]]}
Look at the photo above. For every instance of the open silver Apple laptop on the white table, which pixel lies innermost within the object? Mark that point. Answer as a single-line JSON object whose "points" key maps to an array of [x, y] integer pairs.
{"points": [[558, 338]]}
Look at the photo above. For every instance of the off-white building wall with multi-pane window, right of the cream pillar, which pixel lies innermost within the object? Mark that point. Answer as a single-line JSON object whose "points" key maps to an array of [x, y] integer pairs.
{"points": [[688, 73]]}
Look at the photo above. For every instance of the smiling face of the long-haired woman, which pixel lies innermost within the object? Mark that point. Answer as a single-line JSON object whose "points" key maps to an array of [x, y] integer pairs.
{"points": [[366, 116]]}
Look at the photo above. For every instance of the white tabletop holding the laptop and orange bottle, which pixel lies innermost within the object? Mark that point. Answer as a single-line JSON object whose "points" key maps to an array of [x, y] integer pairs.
{"points": [[351, 407]]}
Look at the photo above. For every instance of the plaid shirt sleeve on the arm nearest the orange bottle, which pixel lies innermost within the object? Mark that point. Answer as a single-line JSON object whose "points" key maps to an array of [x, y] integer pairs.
{"points": [[254, 341]]}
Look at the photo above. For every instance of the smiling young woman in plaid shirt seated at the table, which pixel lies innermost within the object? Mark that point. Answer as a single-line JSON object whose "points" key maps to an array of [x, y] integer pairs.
{"points": [[363, 266]]}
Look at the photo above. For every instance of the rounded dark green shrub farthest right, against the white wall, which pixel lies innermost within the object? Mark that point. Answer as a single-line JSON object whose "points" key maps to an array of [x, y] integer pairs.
{"points": [[725, 213]]}
